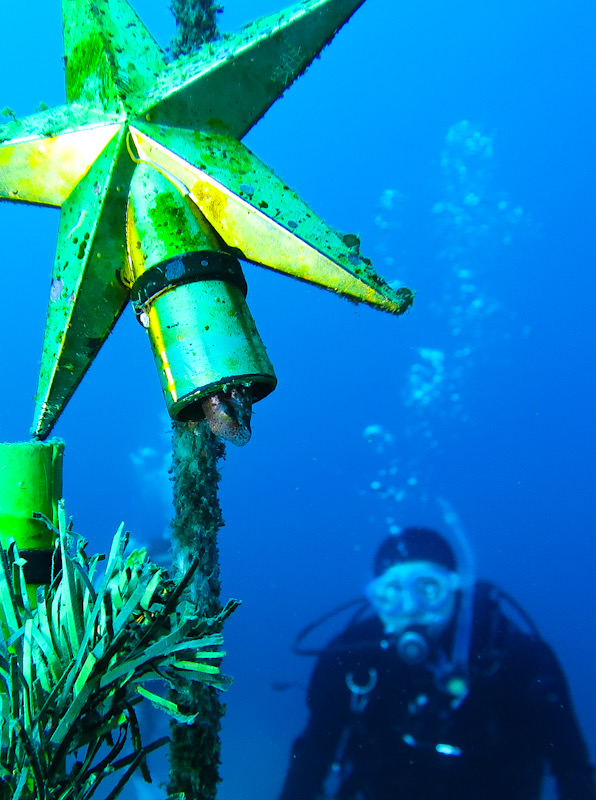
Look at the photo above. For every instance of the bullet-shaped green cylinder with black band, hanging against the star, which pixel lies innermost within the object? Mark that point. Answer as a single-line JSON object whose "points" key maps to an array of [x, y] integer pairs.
{"points": [[190, 296]]}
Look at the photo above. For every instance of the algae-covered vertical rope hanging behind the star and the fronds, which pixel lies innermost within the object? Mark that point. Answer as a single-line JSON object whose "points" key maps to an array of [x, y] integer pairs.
{"points": [[195, 749]]}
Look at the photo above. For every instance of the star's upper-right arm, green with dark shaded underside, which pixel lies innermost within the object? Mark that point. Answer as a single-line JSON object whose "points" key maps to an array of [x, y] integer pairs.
{"points": [[260, 62]]}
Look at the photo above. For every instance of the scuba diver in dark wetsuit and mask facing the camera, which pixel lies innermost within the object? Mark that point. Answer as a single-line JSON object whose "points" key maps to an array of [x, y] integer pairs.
{"points": [[445, 692]]}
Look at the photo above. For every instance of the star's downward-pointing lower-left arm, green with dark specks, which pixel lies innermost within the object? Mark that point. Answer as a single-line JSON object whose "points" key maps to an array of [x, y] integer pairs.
{"points": [[86, 294]]}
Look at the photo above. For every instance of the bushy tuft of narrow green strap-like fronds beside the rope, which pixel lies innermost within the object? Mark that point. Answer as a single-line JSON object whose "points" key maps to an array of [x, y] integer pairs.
{"points": [[73, 668]]}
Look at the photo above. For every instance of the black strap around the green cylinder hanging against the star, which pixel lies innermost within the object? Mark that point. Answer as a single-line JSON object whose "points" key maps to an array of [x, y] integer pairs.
{"points": [[206, 265]]}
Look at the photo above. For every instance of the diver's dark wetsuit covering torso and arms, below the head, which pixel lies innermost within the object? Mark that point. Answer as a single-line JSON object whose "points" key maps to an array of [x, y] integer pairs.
{"points": [[516, 719]]}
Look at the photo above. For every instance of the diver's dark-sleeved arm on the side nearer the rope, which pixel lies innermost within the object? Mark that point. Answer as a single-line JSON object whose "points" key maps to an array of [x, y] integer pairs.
{"points": [[314, 750]]}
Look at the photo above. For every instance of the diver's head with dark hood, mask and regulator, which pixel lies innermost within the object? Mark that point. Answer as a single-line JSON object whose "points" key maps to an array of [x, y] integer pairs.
{"points": [[415, 586]]}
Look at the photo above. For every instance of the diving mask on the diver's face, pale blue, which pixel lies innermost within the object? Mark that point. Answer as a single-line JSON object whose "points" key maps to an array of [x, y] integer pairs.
{"points": [[414, 593]]}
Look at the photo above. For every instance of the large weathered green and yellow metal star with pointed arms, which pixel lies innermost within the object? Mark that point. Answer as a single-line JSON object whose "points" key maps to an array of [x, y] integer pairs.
{"points": [[126, 104]]}
